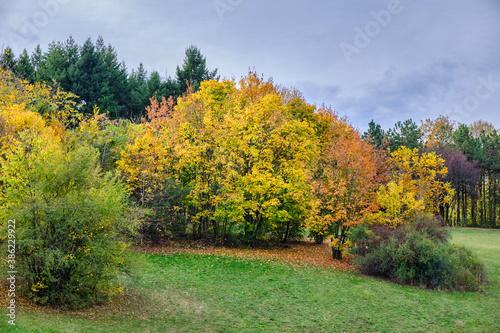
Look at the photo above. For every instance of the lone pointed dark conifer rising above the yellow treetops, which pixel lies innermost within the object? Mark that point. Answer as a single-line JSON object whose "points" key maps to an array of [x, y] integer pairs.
{"points": [[194, 70]]}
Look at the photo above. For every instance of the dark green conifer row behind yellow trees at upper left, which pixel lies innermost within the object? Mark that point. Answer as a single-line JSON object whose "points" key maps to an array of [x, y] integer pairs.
{"points": [[93, 73]]}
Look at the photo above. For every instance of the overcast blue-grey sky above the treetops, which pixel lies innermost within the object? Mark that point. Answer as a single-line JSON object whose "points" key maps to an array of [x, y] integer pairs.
{"points": [[386, 60]]}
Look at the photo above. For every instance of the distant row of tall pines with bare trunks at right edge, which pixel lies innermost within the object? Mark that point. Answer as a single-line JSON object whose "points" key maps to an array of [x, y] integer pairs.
{"points": [[472, 158]]}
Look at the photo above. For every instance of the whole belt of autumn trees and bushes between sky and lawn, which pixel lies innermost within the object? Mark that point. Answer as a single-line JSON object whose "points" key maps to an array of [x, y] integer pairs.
{"points": [[94, 156]]}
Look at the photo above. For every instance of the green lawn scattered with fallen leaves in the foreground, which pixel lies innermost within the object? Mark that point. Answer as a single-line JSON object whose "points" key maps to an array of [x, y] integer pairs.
{"points": [[207, 293]]}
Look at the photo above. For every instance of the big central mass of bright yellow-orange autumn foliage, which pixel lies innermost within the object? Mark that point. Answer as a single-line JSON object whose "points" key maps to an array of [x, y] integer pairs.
{"points": [[242, 155]]}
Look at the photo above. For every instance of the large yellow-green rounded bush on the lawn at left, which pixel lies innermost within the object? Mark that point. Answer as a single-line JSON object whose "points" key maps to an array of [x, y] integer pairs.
{"points": [[70, 218]]}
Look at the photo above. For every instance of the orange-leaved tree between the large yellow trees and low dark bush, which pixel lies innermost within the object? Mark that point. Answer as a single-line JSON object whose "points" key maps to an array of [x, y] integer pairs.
{"points": [[344, 184]]}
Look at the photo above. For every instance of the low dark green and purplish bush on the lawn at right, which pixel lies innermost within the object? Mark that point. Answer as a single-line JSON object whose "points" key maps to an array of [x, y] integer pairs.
{"points": [[419, 255]]}
